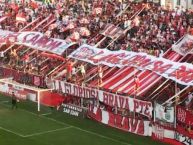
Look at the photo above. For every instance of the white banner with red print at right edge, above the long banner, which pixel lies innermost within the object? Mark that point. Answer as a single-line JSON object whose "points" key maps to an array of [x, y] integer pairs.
{"points": [[185, 46]]}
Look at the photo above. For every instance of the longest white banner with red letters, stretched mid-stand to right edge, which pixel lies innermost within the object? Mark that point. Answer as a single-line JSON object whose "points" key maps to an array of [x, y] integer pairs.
{"points": [[121, 58]]}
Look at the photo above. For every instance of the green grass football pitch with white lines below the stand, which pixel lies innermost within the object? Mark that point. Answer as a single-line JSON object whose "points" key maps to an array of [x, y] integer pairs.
{"points": [[25, 127]]}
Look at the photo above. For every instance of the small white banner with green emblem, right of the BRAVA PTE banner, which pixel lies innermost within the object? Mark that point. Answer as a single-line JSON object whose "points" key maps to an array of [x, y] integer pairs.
{"points": [[164, 114]]}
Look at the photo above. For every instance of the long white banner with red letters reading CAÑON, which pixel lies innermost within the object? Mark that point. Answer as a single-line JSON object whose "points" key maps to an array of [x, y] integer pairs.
{"points": [[37, 40]]}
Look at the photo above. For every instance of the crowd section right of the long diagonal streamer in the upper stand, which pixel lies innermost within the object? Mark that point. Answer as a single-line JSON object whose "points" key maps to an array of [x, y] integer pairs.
{"points": [[156, 30]]}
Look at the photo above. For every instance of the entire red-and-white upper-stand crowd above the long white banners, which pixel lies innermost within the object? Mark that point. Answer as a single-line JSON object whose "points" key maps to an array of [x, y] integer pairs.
{"points": [[153, 30]]}
